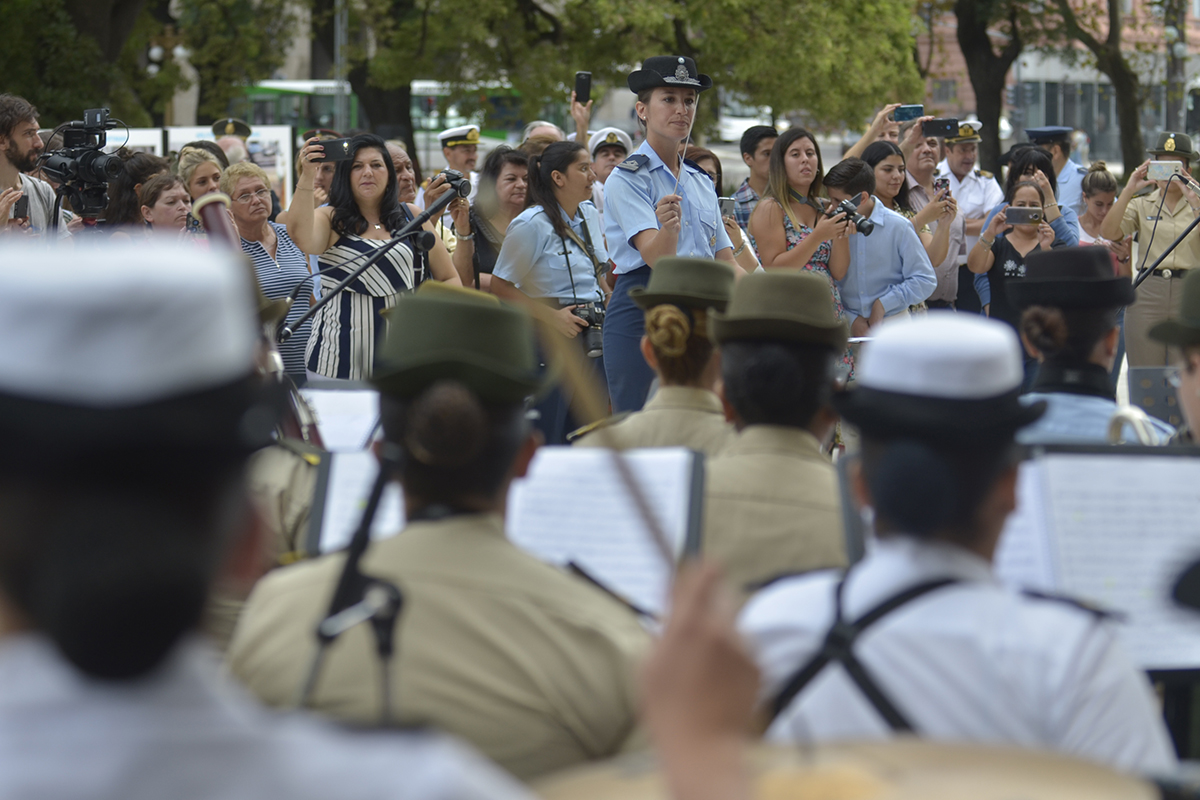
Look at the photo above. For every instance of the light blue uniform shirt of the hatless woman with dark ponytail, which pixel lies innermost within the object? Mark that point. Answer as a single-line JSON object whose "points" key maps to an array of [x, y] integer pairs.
{"points": [[536, 260]]}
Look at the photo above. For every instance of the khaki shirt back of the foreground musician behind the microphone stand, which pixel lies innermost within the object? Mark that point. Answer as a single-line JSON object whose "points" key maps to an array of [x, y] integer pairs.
{"points": [[532, 666]]}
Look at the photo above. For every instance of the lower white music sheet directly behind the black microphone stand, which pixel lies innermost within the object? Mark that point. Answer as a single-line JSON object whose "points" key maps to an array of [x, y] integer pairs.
{"points": [[351, 476]]}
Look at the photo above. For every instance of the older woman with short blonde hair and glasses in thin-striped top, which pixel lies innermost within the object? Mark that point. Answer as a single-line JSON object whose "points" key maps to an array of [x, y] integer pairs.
{"points": [[279, 264]]}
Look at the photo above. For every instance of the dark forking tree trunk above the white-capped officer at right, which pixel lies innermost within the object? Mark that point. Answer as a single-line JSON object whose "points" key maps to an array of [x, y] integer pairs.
{"points": [[988, 71]]}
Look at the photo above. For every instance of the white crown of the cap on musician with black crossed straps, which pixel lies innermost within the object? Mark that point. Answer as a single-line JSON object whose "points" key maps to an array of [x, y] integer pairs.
{"points": [[949, 356]]}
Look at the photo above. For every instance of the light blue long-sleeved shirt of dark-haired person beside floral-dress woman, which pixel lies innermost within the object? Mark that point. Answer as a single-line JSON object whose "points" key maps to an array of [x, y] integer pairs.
{"points": [[890, 266]]}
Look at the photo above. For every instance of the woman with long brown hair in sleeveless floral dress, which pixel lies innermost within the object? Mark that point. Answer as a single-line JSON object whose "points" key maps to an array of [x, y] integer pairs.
{"points": [[790, 228]]}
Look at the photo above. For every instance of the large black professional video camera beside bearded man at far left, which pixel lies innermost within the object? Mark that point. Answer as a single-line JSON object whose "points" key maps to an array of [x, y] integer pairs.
{"points": [[81, 167]]}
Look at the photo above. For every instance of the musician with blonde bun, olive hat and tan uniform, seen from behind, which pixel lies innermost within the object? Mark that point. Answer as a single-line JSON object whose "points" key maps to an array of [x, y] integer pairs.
{"points": [[686, 411]]}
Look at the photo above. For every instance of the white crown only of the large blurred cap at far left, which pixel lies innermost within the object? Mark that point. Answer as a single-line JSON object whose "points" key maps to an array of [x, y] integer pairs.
{"points": [[113, 326]]}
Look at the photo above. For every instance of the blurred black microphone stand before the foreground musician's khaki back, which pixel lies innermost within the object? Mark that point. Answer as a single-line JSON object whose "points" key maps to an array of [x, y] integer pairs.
{"points": [[361, 598]]}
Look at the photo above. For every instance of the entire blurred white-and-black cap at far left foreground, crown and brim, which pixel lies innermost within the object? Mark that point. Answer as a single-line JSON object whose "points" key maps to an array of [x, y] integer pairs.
{"points": [[152, 347]]}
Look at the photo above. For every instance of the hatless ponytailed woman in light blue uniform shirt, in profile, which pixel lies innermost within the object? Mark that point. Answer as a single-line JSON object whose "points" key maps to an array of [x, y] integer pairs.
{"points": [[551, 260]]}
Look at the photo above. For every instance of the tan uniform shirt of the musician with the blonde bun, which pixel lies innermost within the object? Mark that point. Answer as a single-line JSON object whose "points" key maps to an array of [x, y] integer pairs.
{"points": [[677, 417]]}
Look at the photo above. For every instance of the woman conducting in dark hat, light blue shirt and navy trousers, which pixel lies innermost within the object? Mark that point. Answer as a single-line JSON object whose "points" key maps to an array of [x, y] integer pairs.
{"points": [[647, 218]]}
